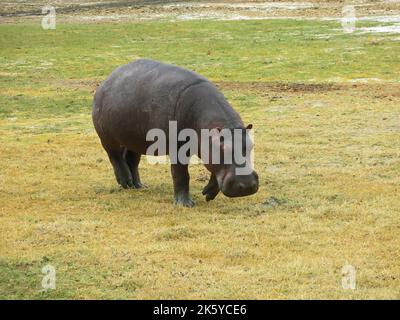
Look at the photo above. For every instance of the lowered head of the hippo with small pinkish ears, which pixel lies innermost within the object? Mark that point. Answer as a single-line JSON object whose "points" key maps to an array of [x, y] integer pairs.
{"points": [[232, 166]]}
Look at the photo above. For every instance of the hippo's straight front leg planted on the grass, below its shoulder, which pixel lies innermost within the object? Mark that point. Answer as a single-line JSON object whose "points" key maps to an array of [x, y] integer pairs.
{"points": [[180, 177]]}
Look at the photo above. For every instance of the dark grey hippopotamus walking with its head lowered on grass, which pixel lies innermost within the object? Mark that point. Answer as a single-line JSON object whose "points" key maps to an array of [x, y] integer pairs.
{"points": [[145, 94]]}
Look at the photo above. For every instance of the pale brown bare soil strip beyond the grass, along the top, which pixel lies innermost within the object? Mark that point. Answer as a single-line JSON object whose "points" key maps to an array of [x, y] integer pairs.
{"points": [[93, 11]]}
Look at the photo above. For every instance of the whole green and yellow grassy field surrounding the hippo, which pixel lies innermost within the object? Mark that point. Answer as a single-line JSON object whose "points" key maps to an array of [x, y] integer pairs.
{"points": [[326, 111]]}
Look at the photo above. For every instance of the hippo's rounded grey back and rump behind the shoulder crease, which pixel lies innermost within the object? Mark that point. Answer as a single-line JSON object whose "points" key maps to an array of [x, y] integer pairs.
{"points": [[140, 96]]}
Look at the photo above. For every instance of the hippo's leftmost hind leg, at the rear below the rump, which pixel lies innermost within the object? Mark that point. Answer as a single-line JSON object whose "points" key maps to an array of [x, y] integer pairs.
{"points": [[121, 168]]}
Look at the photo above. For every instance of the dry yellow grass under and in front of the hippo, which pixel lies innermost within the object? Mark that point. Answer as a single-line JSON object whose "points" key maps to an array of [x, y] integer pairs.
{"points": [[336, 177]]}
